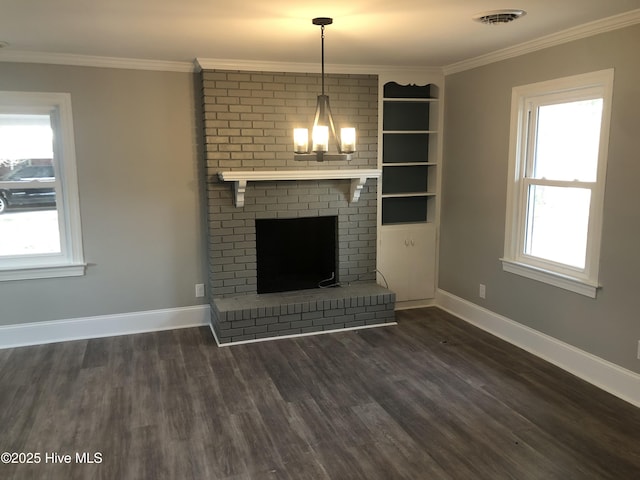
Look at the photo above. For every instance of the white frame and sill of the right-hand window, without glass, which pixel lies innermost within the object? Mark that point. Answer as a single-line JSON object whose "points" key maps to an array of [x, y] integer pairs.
{"points": [[578, 87]]}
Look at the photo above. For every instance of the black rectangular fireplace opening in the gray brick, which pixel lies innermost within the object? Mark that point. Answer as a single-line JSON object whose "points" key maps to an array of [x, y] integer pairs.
{"points": [[296, 253]]}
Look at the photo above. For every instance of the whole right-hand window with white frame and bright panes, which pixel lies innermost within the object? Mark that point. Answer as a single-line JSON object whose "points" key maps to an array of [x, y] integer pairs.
{"points": [[557, 166]]}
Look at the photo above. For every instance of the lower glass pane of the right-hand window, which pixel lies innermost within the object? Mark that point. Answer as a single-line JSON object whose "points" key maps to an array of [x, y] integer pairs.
{"points": [[557, 224]]}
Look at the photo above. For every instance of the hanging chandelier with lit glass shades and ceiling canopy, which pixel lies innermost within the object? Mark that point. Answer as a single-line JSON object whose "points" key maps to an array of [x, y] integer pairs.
{"points": [[323, 124]]}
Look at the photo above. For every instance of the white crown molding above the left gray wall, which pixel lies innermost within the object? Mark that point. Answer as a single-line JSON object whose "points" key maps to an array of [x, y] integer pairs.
{"points": [[94, 61]]}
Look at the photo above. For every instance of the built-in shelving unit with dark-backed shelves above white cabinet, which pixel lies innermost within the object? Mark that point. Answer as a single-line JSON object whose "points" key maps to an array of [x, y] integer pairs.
{"points": [[409, 157]]}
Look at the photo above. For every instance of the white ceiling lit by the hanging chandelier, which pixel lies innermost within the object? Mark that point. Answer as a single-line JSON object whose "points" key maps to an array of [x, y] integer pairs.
{"points": [[364, 32]]}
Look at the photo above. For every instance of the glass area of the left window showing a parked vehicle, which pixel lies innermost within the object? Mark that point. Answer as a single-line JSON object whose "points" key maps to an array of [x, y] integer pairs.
{"points": [[28, 214]]}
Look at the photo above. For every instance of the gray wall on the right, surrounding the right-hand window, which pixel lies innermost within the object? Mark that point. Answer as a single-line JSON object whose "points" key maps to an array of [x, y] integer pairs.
{"points": [[476, 144]]}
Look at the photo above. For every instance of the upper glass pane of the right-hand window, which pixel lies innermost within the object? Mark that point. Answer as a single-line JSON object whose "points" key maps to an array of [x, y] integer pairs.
{"points": [[568, 138]]}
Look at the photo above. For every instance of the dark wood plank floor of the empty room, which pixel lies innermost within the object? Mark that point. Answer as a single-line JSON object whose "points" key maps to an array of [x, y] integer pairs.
{"points": [[432, 398]]}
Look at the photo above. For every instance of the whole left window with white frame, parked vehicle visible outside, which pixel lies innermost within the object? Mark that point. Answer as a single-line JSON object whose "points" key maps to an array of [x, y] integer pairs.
{"points": [[39, 212]]}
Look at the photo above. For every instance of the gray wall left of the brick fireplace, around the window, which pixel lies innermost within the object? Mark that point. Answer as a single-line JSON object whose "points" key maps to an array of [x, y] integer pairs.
{"points": [[137, 158]]}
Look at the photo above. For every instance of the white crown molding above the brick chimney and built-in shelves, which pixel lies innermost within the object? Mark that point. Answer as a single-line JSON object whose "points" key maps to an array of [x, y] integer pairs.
{"points": [[260, 66]]}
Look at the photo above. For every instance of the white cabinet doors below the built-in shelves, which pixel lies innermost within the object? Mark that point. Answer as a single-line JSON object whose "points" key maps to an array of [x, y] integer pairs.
{"points": [[407, 260]]}
